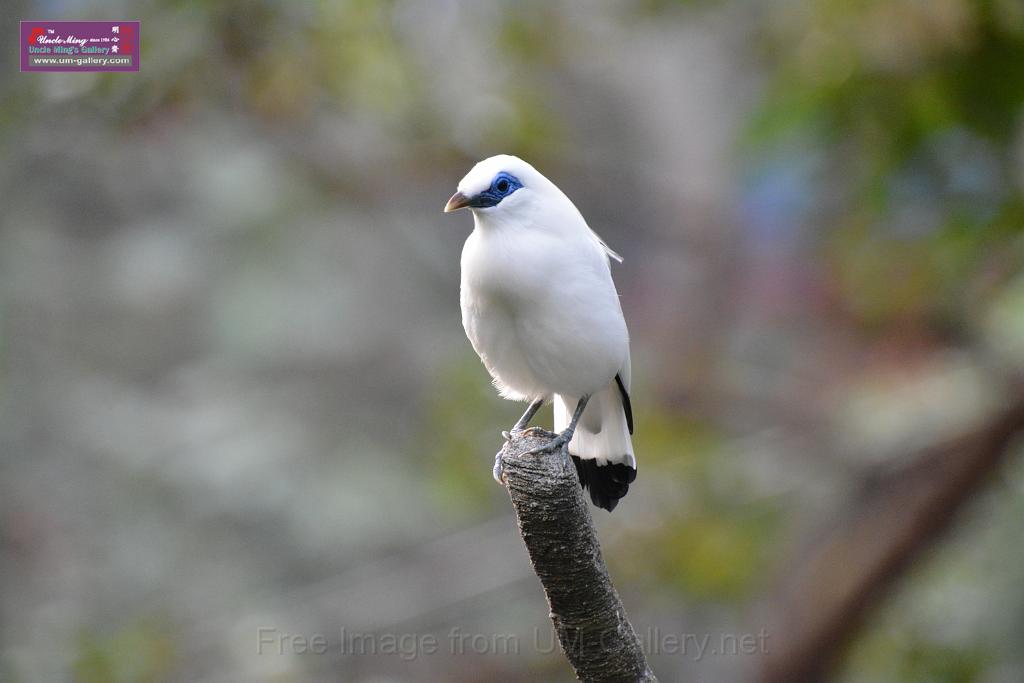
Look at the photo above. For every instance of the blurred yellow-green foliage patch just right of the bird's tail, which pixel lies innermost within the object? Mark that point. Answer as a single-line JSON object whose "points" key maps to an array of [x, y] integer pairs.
{"points": [[714, 538]]}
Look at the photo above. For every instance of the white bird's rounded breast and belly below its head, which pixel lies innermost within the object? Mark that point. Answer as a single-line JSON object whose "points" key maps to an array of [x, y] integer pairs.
{"points": [[541, 310]]}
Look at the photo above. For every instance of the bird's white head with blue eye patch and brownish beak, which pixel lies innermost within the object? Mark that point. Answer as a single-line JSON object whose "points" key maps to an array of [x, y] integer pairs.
{"points": [[498, 184]]}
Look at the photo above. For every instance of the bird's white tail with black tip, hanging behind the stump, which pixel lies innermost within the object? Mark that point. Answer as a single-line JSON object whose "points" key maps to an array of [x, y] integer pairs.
{"points": [[602, 448]]}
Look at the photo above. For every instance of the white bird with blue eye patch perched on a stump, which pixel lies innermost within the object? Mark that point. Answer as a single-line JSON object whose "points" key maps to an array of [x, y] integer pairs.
{"points": [[542, 312]]}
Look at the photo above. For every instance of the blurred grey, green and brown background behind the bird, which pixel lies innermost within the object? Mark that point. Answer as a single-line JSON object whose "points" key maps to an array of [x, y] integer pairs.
{"points": [[236, 395]]}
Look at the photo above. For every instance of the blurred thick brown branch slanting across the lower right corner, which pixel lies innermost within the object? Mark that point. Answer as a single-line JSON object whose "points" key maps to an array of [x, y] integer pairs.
{"points": [[829, 590]]}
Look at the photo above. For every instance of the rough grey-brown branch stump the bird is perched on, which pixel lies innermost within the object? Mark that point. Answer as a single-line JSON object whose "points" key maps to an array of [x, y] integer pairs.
{"points": [[556, 524]]}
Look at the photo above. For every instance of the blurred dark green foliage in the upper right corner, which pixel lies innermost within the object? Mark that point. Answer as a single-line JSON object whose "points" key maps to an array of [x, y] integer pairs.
{"points": [[916, 106]]}
